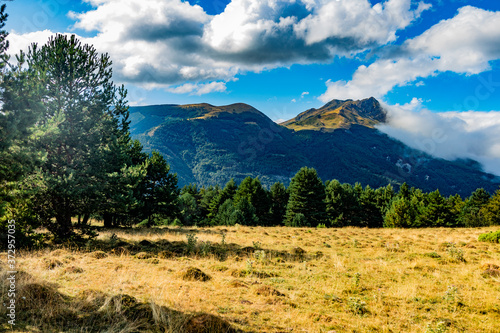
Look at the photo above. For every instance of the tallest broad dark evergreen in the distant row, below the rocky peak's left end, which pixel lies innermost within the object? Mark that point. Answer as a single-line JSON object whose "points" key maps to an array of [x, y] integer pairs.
{"points": [[307, 197]]}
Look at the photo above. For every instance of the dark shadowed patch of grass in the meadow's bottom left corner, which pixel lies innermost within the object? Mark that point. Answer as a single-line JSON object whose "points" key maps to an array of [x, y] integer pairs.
{"points": [[40, 307]]}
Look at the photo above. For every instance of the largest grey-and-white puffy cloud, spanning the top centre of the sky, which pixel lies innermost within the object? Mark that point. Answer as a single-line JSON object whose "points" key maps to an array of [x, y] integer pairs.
{"points": [[166, 43]]}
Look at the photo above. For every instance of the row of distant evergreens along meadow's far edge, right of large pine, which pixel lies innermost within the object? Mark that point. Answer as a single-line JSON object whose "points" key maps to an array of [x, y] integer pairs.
{"points": [[308, 202]]}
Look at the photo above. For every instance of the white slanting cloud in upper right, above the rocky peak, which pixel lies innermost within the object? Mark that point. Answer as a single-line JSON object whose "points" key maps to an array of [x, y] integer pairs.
{"points": [[464, 44]]}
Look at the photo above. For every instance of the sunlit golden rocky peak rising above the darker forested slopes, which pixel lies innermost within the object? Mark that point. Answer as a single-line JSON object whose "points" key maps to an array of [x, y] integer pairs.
{"points": [[339, 114]]}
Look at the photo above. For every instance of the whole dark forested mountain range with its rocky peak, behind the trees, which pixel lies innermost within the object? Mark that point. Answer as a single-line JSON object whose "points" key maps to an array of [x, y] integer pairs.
{"points": [[209, 145]]}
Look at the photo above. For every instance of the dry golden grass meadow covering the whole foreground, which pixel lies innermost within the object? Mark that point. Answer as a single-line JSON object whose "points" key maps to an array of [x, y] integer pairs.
{"points": [[256, 279]]}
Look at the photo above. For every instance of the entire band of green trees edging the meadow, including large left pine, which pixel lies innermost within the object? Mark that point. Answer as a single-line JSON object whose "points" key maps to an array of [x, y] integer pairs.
{"points": [[67, 157]]}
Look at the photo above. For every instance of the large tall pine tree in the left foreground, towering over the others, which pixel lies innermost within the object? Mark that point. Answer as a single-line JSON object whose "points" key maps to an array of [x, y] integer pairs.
{"points": [[82, 132]]}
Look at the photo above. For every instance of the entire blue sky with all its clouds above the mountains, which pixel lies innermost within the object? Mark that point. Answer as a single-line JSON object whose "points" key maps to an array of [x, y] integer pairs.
{"points": [[283, 57]]}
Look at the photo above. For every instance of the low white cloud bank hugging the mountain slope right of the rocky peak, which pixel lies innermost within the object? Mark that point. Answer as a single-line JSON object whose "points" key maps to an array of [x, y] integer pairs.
{"points": [[448, 135]]}
